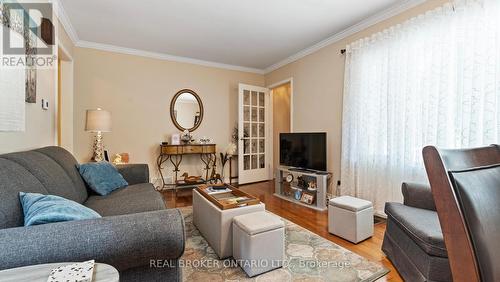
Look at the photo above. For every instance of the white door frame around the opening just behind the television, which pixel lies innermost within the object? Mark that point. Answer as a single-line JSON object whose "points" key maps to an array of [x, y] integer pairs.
{"points": [[272, 169]]}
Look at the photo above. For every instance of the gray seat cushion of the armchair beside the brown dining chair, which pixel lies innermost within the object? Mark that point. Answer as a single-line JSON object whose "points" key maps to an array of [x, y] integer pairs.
{"points": [[421, 225]]}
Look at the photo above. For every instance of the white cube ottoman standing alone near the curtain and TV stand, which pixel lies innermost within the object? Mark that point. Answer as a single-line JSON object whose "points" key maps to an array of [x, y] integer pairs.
{"points": [[350, 218]]}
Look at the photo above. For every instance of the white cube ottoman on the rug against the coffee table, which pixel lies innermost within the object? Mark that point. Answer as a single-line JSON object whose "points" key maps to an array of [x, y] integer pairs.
{"points": [[258, 242]]}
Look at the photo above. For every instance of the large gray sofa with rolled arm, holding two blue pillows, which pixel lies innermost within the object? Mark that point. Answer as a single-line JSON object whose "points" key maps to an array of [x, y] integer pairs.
{"points": [[135, 227]]}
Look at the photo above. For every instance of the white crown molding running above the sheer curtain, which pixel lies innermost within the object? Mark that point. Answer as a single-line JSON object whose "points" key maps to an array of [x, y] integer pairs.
{"points": [[388, 13]]}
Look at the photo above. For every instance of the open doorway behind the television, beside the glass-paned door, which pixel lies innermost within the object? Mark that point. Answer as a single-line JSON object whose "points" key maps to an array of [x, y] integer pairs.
{"points": [[282, 116]]}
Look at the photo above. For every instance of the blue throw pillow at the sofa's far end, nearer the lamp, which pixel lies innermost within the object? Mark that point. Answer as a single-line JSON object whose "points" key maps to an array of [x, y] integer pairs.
{"points": [[102, 177]]}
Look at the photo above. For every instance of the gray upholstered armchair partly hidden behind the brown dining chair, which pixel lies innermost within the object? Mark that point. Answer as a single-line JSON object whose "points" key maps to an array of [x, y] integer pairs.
{"points": [[413, 240]]}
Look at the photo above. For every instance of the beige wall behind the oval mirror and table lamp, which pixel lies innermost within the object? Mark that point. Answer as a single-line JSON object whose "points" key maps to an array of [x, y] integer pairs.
{"points": [[137, 91]]}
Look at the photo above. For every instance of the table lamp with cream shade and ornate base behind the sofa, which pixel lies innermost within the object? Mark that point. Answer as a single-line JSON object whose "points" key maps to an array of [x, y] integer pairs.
{"points": [[98, 121]]}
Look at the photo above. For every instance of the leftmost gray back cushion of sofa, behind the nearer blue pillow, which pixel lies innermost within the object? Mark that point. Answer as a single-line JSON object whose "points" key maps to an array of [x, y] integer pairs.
{"points": [[13, 179]]}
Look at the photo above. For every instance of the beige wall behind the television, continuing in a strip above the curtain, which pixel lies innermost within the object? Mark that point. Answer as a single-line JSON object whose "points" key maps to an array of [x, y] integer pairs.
{"points": [[318, 82]]}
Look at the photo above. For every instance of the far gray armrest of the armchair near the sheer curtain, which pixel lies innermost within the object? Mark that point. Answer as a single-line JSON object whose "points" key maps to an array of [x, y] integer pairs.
{"points": [[418, 196]]}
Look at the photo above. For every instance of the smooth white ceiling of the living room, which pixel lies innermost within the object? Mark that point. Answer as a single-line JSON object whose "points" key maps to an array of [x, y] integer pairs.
{"points": [[250, 34]]}
